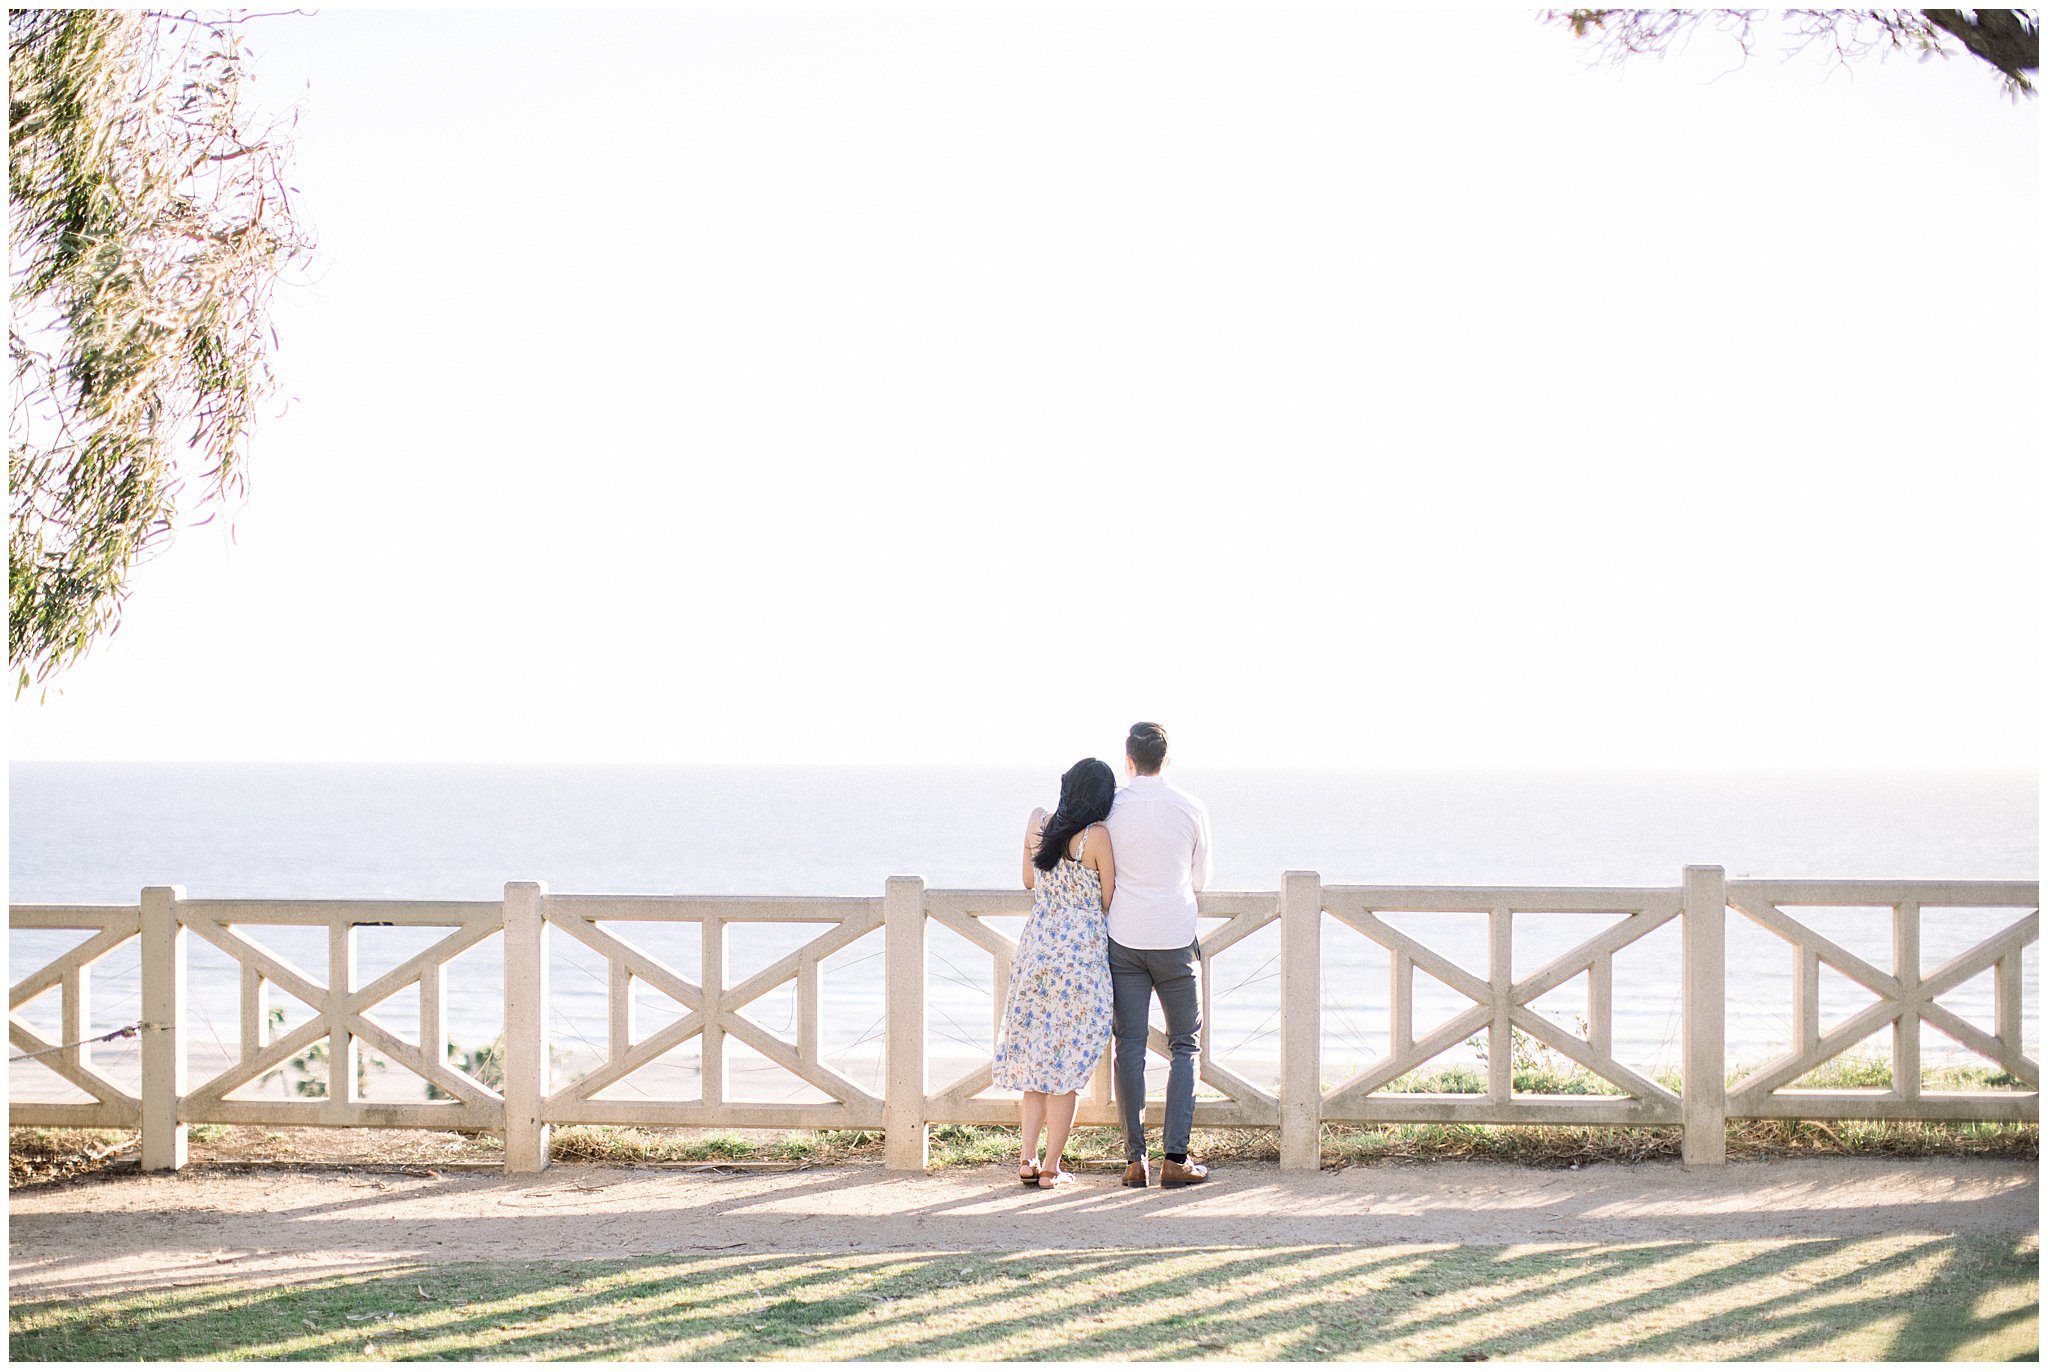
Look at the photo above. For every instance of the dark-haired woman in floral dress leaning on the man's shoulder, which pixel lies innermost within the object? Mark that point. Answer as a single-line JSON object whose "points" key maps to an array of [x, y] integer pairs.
{"points": [[1058, 1017]]}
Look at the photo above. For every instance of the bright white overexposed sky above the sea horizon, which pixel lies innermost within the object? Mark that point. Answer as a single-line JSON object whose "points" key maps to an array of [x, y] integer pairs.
{"points": [[964, 386]]}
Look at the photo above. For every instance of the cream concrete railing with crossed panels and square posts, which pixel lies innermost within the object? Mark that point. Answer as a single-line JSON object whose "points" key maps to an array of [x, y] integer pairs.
{"points": [[529, 1104]]}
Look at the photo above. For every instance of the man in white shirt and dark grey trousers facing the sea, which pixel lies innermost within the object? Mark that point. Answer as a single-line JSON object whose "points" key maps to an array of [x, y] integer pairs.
{"points": [[1160, 837]]}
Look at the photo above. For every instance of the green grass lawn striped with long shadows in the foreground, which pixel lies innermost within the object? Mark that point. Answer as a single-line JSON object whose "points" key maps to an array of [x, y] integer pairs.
{"points": [[1900, 1298]]}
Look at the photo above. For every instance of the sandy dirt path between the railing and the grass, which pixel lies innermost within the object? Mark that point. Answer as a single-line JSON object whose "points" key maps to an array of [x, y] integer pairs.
{"points": [[130, 1231]]}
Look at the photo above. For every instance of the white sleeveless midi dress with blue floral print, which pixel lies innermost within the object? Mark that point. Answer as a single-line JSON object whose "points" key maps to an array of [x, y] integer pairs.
{"points": [[1058, 1017]]}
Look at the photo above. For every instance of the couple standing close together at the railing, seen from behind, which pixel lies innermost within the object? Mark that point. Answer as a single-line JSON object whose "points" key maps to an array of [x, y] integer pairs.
{"points": [[1113, 923]]}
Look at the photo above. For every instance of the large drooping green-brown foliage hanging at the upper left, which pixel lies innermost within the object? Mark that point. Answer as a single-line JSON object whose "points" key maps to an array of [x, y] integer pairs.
{"points": [[148, 228]]}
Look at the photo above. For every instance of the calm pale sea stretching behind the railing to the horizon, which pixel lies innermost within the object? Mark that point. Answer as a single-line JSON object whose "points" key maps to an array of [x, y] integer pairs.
{"points": [[460, 833]]}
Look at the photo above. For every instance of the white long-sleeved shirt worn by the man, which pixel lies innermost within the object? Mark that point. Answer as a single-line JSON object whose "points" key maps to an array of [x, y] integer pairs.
{"points": [[1160, 841]]}
